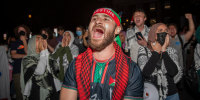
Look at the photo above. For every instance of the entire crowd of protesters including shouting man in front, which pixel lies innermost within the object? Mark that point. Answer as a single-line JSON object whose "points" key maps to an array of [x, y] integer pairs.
{"points": [[102, 62]]}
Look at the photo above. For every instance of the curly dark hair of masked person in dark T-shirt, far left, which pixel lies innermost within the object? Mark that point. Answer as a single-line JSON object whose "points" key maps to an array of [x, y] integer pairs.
{"points": [[25, 27]]}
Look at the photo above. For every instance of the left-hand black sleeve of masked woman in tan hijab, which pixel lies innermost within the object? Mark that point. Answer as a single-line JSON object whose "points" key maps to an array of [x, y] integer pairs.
{"points": [[151, 64]]}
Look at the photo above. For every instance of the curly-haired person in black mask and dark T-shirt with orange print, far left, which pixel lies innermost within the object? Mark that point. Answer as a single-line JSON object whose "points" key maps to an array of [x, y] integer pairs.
{"points": [[19, 51]]}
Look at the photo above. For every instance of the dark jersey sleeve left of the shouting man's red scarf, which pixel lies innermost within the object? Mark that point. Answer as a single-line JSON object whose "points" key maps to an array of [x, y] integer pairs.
{"points": [[70, 77]]}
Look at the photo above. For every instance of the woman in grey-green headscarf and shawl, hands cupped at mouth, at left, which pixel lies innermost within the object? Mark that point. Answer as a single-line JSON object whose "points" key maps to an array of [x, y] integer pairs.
{"points": [[39, 71]]}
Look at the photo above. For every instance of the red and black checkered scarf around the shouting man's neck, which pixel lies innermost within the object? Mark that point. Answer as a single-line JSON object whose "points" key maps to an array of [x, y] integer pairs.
{"points": [[83, 72]]}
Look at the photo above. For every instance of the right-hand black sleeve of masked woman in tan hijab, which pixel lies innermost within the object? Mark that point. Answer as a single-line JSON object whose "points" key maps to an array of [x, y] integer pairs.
{"points": [[169, 64]]}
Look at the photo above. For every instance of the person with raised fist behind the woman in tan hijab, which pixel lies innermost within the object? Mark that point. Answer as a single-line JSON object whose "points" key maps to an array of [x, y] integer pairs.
{"points": [[177, 41]]}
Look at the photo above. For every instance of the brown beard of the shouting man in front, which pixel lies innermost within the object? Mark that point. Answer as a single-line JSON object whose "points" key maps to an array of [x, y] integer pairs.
{"points": [[107, 40]]}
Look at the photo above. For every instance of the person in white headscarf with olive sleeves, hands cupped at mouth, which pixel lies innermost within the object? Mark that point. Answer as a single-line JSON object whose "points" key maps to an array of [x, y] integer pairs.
{"points": [[65, 52]]}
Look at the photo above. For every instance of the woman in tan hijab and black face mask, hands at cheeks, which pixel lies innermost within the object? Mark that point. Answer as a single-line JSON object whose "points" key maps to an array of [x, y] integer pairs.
{"points": [[159, 63]]}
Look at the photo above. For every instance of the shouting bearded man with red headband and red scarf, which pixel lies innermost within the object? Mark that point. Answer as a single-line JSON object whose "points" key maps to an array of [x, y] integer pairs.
{"points": [[103, 71]]}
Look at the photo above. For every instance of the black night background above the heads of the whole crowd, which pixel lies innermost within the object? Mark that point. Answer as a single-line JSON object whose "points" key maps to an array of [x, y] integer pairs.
{"points": [[71, 13]]}
